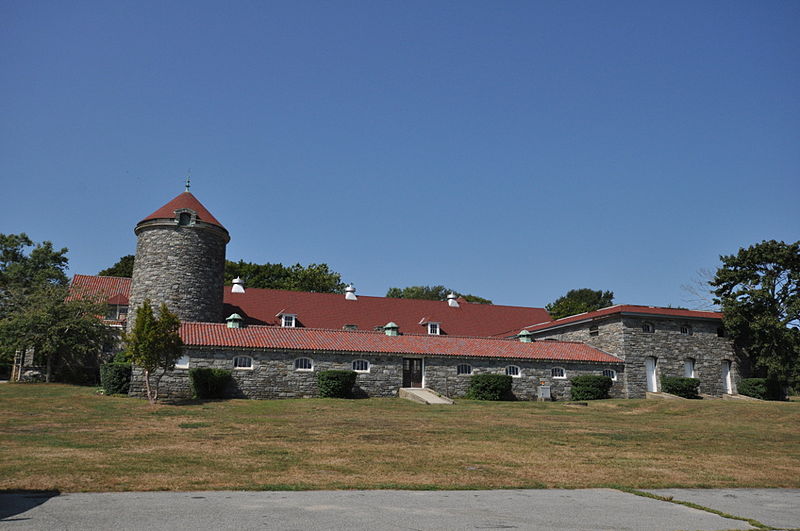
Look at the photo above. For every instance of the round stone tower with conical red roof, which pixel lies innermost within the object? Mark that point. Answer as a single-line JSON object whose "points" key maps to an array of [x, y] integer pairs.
{"points": [[180, 260]]}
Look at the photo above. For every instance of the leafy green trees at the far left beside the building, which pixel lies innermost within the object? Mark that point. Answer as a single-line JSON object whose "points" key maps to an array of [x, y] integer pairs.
{"points": [[35, 313]]}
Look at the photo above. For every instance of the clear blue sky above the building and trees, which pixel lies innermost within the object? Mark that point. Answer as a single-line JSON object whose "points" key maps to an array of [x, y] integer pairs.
{"points": [[513, 150]]}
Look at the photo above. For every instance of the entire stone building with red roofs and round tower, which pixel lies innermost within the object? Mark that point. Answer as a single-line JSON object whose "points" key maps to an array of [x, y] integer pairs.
{"points": [[274, 341]]}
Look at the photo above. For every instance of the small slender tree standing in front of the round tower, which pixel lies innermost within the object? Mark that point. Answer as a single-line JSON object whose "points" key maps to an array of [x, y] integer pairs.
{"points": [[153, 344]]}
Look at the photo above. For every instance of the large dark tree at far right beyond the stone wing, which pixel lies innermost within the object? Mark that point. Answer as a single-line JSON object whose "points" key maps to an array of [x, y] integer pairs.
{"points": [[759, 292]]}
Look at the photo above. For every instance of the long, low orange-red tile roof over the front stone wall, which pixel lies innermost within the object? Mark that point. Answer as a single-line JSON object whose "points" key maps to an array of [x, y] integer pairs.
{"points": [[272, 337]]}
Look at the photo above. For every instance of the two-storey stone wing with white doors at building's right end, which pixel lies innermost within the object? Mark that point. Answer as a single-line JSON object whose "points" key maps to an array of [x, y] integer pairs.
{"points": [[672, 341]]}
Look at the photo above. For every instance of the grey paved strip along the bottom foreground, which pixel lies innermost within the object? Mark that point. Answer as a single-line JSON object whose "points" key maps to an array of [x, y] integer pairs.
{"points": [[589, 509]]}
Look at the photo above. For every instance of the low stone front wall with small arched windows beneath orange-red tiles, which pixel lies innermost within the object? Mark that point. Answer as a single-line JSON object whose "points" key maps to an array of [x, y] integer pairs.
{"points": [[273, 374]]}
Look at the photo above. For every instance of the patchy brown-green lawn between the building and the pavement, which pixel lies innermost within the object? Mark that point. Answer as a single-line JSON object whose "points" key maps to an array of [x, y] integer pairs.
{"points": [[68, 438]]}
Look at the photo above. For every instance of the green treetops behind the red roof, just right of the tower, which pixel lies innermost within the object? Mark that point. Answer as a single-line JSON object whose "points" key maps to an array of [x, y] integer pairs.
{"points": [[316, 278]]}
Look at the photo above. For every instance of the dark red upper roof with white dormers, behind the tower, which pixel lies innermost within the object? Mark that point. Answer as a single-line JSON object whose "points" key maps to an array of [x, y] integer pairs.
{"points": [[333, 311]]}
